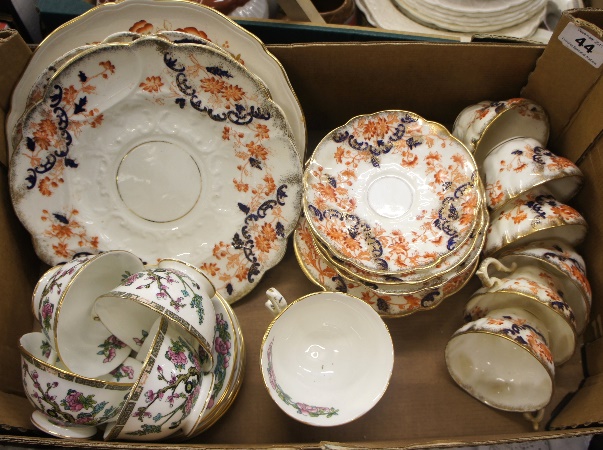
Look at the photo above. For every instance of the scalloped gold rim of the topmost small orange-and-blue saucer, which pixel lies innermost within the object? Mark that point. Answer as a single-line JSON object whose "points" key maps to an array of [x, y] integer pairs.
{"points": [[434, 126]]}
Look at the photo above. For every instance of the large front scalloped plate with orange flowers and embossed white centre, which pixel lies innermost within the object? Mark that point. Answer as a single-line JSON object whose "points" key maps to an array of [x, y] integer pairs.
{"points": [[167, 150]]}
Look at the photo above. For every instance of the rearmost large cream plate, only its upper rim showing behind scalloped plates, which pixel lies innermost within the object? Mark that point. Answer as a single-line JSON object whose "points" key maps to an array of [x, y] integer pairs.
{"points": [[152, 16]]}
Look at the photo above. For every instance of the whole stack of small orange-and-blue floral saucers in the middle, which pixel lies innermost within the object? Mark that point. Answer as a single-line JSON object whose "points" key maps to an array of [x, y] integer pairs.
{"points": [[394, 212]]}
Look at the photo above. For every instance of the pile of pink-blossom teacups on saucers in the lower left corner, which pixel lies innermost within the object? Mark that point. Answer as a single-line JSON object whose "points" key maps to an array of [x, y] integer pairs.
{"points": [[146, 352]]}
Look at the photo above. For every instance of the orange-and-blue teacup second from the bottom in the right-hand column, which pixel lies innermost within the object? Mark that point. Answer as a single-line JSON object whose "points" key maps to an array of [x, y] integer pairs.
{"points": [[540, 300]]}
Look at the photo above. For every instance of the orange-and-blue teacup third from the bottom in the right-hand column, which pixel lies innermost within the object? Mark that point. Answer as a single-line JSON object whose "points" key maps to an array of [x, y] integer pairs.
{"points": [[562, 261]]}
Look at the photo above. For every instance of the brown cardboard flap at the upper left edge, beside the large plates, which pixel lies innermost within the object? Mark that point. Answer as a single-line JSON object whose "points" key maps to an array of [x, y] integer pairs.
{"points": [[13, 51]]}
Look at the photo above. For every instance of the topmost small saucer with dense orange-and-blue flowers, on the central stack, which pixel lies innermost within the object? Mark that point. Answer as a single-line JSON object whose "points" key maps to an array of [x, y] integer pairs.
{"points": [[391, 192]]}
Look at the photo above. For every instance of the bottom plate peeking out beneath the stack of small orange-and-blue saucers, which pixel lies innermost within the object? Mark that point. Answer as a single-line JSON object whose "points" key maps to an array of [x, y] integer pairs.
{"points": [[323, 274]]}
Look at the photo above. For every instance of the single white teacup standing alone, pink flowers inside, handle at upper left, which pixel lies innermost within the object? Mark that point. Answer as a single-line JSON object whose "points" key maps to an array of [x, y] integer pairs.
{"points": [[321, 348]]}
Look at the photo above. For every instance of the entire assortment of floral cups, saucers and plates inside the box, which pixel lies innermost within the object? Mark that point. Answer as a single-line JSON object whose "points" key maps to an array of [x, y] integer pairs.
{"points": [[390, 215]]}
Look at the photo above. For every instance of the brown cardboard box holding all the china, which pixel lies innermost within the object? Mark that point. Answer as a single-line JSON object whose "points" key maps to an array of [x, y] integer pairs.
{"points": [[422, 406]]}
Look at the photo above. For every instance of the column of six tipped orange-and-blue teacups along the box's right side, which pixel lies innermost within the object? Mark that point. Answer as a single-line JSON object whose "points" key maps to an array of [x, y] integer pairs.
{"points": [[535, 299]]}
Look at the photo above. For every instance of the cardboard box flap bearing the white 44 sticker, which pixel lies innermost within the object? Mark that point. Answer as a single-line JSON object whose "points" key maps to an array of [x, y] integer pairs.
{"points": [[567, 82]]}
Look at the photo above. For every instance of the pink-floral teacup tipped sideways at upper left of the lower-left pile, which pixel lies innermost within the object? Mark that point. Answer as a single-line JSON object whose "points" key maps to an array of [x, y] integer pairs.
{"points": [[63, 303]]}
